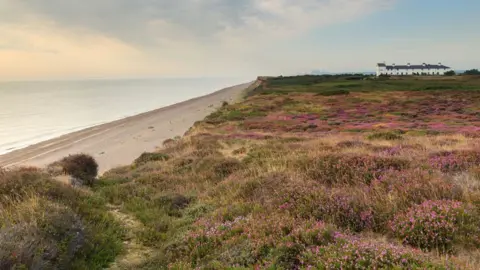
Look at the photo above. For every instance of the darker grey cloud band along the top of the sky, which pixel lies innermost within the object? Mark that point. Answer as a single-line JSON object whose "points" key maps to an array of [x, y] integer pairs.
{"points": [[144, 21]]}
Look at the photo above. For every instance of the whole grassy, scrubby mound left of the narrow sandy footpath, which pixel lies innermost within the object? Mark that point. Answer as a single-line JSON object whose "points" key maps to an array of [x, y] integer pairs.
{"points": [[74, 227]]}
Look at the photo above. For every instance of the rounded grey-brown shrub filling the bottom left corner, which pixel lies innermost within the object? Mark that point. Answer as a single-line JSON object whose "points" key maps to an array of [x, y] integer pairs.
{"points": [[41, 235]]}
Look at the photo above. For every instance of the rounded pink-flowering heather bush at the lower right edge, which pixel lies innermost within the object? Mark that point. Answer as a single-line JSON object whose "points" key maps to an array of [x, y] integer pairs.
{"points": [[436, 225]]}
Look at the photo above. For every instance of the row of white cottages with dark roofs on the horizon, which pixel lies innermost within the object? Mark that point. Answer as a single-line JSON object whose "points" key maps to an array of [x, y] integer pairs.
{"points": [[423, 69]]}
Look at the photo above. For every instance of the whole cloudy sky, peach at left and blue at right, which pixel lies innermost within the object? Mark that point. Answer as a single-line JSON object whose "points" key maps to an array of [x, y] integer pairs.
{"points": [[71, 39]]}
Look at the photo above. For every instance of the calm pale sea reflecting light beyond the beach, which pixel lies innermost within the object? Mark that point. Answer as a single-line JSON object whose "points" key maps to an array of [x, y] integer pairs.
{"points": [[31, 112]]}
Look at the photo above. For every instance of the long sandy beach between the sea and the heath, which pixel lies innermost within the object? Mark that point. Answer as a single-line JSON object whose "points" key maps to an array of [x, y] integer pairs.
{"points": [[120, 142]]}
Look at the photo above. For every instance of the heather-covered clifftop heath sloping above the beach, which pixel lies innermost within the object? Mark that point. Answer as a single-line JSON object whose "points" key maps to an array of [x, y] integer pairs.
{"points": [[307, 172]]}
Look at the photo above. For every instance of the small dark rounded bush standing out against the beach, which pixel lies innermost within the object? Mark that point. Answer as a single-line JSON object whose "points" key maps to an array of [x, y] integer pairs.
{"points": [[82, 167]]}
